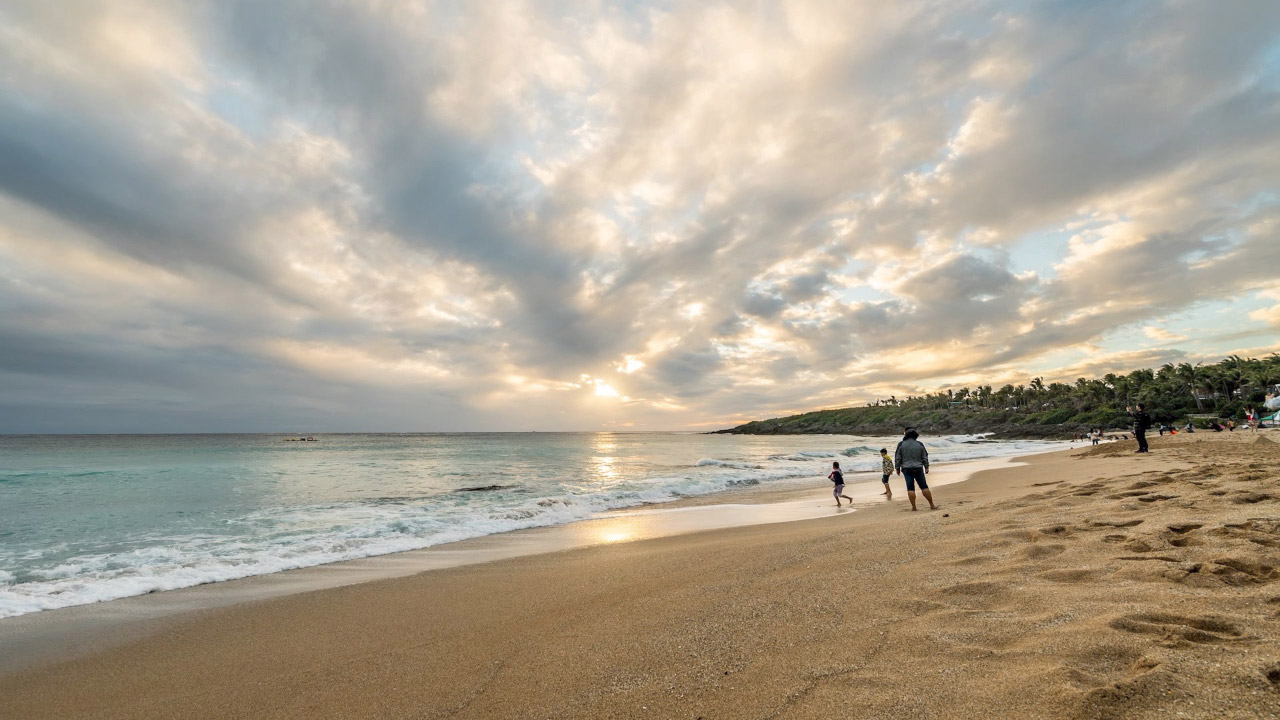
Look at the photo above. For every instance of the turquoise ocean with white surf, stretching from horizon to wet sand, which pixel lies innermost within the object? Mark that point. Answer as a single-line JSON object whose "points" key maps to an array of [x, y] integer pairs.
{"points": [[93, 518]]}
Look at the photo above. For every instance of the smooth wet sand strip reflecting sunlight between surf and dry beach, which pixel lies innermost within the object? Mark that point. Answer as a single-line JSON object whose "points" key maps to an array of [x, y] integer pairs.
{"points": [[53, 636]]}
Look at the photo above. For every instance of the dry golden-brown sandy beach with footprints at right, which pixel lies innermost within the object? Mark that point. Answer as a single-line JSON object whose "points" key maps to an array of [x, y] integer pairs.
{"points": [[1090, 584]]}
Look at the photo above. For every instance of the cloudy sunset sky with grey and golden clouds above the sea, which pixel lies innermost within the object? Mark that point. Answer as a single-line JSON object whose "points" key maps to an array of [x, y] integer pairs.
{"points": [[587, 216]]}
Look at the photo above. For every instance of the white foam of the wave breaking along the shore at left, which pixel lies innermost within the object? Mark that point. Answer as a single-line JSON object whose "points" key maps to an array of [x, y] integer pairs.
{"points": [[285, 539]]}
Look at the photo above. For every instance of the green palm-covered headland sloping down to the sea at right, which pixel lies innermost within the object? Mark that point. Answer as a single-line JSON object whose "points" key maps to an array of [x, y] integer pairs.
{"points": [[1172, 394]]}
